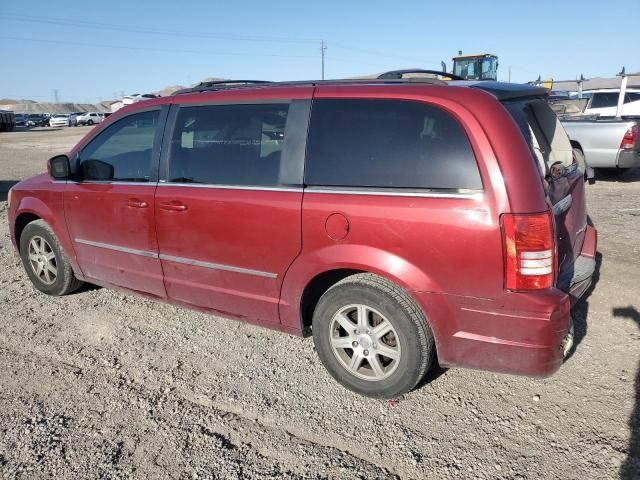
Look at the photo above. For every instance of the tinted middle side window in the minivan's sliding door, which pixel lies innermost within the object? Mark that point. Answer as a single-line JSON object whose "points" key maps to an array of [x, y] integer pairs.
{"points": [[228, 144]]}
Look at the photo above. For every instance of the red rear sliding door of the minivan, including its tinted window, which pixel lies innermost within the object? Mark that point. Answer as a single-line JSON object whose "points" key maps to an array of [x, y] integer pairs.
{"points": [[228, 204]]}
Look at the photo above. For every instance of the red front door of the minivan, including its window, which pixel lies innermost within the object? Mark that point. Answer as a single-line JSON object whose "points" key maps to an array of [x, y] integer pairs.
{"points": [[109, 209]]}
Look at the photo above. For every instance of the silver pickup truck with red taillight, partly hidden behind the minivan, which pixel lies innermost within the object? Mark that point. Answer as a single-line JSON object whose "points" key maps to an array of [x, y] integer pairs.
{"points": [[609, 144]]}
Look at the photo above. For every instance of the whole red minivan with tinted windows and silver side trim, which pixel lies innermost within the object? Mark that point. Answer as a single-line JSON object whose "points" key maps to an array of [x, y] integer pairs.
{"points": [[397, 221]]}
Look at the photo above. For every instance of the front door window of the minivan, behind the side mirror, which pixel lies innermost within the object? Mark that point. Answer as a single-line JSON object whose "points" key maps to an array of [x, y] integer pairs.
{"points": [[122, 152]]}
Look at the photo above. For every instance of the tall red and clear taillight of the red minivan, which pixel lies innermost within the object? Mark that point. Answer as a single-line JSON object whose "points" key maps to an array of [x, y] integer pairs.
{"points": [[529, 250]]}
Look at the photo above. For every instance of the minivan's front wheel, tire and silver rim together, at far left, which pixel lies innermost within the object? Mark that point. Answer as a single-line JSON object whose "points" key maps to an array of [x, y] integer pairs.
{"points": [[44, 260]]}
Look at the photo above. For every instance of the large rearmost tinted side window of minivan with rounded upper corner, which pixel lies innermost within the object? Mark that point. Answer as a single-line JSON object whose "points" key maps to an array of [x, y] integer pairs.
{"points": [[388, 143]]}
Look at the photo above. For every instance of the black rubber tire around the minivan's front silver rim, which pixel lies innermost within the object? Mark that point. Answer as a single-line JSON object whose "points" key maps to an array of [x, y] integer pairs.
{"points": [[65, 281]]}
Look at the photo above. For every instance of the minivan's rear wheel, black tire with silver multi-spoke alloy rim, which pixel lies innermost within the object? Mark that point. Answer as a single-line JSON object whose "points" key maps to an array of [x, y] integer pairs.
{"points": [[372, 337]]}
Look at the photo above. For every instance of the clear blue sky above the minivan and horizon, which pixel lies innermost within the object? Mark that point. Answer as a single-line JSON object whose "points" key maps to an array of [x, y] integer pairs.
{"points": [[95, 50]]}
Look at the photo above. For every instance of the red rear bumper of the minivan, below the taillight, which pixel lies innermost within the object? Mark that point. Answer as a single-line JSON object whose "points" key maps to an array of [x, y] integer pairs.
{"points": [[524, 335]]}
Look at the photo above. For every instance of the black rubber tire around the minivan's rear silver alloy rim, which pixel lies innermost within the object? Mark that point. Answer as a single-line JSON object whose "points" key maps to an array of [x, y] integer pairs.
{"points": [[414, 338]]}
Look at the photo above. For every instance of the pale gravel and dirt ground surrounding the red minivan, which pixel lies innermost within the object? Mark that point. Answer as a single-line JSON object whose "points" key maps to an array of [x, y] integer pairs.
{"points": [[104, 384]]}
